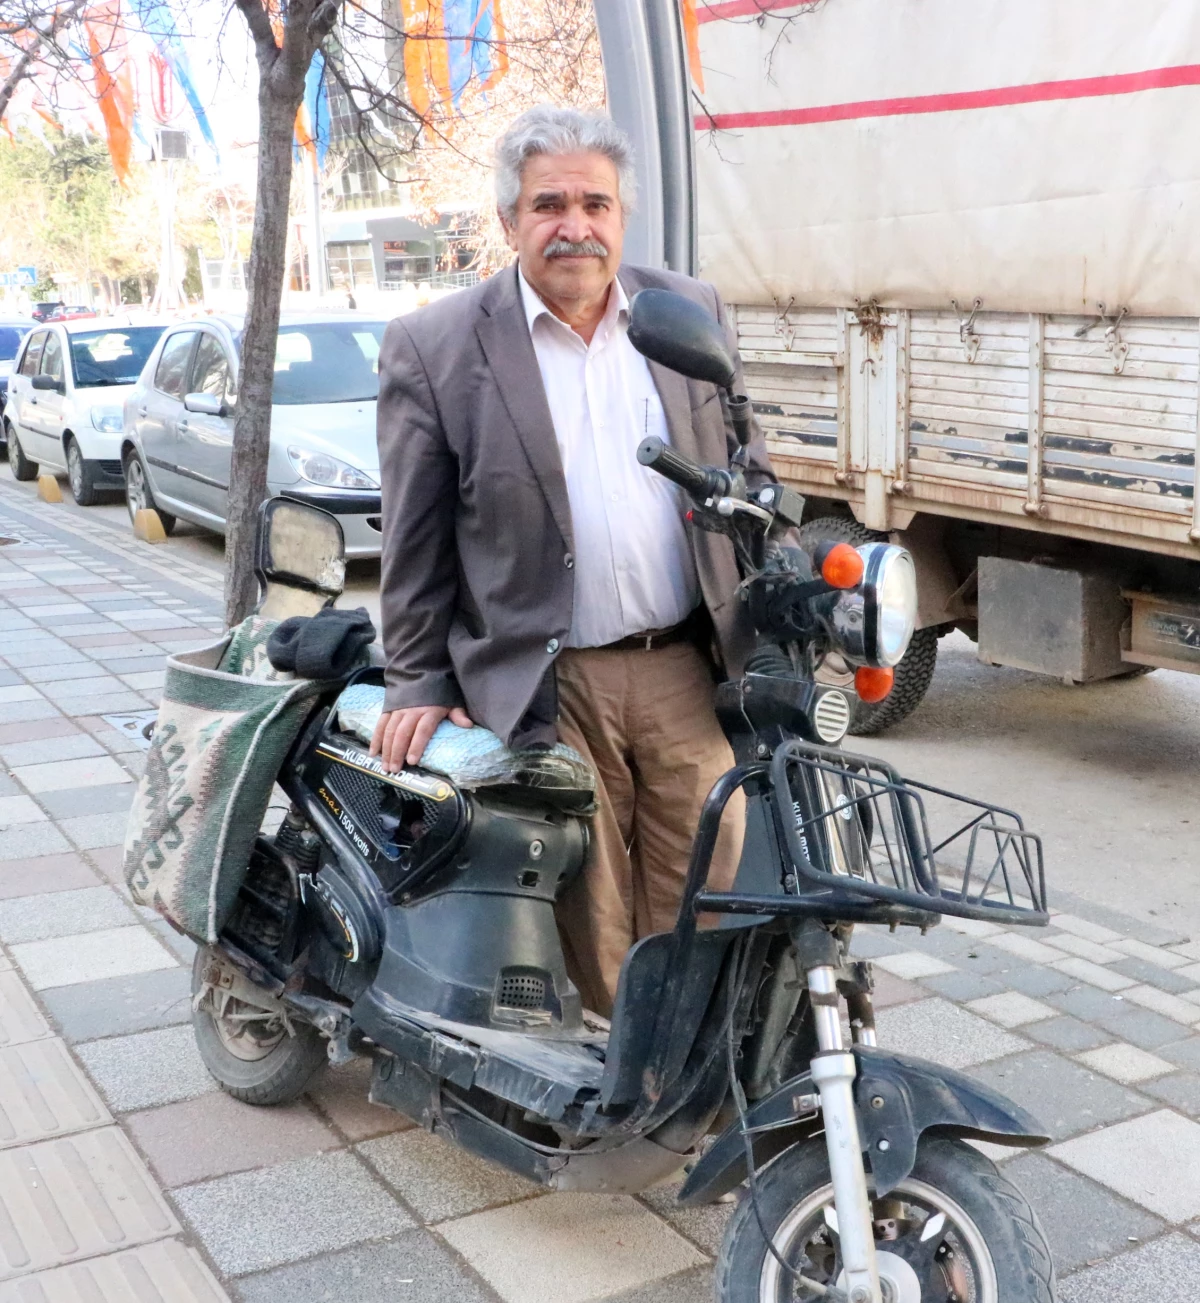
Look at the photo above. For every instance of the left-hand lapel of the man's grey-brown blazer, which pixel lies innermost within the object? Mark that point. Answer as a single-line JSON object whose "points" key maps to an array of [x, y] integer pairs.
{"points": [[504, 334]]}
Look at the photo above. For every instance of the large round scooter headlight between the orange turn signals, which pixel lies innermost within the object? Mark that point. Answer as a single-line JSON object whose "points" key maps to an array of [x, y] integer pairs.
{"points": [[874, 623]]}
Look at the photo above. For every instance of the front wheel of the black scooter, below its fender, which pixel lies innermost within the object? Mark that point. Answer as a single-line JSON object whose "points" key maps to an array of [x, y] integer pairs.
{"points": [[954, 1232]]}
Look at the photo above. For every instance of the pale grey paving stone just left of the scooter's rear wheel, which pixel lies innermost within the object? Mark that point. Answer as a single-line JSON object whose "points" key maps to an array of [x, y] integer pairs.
{"points": [[147, 1069]]}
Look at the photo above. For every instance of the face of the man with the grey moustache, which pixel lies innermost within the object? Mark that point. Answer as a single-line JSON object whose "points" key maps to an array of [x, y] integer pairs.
{"points": [[570, 226]]}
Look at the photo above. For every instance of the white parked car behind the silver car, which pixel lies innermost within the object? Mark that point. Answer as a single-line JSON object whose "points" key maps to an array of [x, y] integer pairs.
{"points": [[66, 397]]}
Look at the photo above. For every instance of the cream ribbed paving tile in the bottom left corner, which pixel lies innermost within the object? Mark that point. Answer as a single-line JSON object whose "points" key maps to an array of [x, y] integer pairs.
{"points": [[169, 1268]]}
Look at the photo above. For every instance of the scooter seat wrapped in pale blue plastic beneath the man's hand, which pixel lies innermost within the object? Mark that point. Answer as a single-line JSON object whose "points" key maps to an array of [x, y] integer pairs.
{"points": [[476, 758]]}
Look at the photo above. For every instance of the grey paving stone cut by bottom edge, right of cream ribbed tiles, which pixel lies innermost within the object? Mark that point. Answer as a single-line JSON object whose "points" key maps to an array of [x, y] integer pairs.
{"points": [[412, 1267]]}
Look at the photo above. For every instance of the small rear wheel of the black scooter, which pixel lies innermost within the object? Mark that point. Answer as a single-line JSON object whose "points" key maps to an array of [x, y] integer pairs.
{"points": [[251, 1055]]}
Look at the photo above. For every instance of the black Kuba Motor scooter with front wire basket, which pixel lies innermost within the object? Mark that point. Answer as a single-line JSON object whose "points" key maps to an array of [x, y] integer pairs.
{"points": [[410, 918]]}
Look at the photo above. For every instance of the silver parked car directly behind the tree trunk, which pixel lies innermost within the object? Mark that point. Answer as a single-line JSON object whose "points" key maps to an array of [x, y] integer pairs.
{"points": [[179, 423]]}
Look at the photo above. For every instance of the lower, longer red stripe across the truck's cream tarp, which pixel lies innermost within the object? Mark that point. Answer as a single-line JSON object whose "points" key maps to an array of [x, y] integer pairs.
{"points": [[1038, 93]]}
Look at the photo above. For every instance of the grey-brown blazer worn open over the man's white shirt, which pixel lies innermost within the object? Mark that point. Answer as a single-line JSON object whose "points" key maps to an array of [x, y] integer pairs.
{"points": [[478, 582]]}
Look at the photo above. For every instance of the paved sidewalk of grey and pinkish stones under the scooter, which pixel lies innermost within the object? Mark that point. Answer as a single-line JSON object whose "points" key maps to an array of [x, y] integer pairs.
{"points": [[126, 1175]]}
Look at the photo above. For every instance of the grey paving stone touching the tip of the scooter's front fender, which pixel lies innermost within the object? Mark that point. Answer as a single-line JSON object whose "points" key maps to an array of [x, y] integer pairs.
{"points": [[1064, 1096]]}
